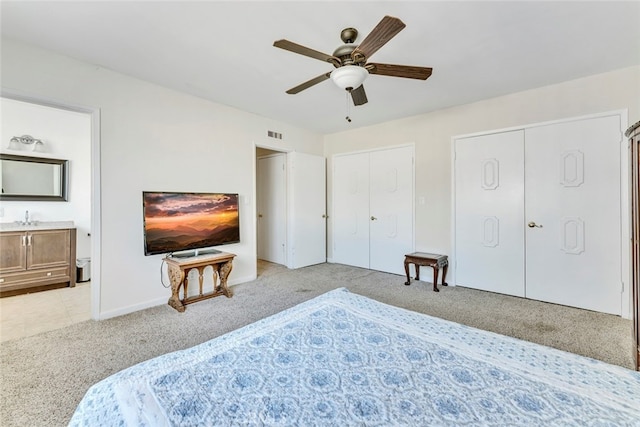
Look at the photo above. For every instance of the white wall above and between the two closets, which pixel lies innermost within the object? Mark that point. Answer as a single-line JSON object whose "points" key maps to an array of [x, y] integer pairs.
{"points": [[432, 135]]}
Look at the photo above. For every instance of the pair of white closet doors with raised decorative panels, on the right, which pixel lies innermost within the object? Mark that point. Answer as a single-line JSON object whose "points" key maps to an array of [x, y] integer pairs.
{"points": [[538, 213]]}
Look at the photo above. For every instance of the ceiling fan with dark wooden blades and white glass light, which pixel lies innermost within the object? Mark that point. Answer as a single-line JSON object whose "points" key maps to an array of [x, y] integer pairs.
{"points": [[350, 60]]}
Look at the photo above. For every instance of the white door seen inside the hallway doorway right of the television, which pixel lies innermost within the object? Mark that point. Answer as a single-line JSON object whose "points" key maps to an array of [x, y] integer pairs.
{"points": [[271, 201]]}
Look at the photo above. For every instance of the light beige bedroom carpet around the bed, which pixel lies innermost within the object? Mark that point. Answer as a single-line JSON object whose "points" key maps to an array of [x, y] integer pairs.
{"points": [[43, 377]]}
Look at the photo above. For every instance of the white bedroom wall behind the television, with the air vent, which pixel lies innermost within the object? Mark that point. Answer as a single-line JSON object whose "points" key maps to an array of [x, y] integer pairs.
{"points": [[152, 138]]}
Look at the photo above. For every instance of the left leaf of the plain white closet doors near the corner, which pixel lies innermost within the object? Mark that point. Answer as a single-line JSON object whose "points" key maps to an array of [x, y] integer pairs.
{"points": [[351, 209]]}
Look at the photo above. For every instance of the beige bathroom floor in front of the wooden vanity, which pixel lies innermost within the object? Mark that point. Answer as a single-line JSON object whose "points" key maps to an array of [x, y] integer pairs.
{"points": [[30, 314]]}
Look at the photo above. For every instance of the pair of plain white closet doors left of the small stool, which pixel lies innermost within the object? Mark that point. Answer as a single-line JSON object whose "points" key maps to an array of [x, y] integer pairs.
{"points": [[373, 209]]}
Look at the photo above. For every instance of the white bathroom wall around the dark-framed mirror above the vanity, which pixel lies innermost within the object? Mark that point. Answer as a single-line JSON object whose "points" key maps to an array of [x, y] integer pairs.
{"points": [[66, 135]]}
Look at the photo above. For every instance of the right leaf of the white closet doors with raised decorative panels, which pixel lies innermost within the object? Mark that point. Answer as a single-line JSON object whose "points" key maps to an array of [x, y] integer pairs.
{"points": [[573, 197]]}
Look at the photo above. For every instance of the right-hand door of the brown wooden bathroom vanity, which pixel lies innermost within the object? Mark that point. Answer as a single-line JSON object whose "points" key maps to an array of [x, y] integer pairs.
{"points": [[48, 248]]}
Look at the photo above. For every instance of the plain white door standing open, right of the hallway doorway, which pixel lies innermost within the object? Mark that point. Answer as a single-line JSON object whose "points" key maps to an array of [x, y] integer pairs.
{"points": [[307, 210]]}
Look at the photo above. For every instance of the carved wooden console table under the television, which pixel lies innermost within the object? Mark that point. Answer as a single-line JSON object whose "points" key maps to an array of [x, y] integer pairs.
{"points": [[179, 268]]}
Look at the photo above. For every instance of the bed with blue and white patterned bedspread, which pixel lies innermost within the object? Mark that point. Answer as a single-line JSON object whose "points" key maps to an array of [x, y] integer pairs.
{"points": [[342, 359]]}
